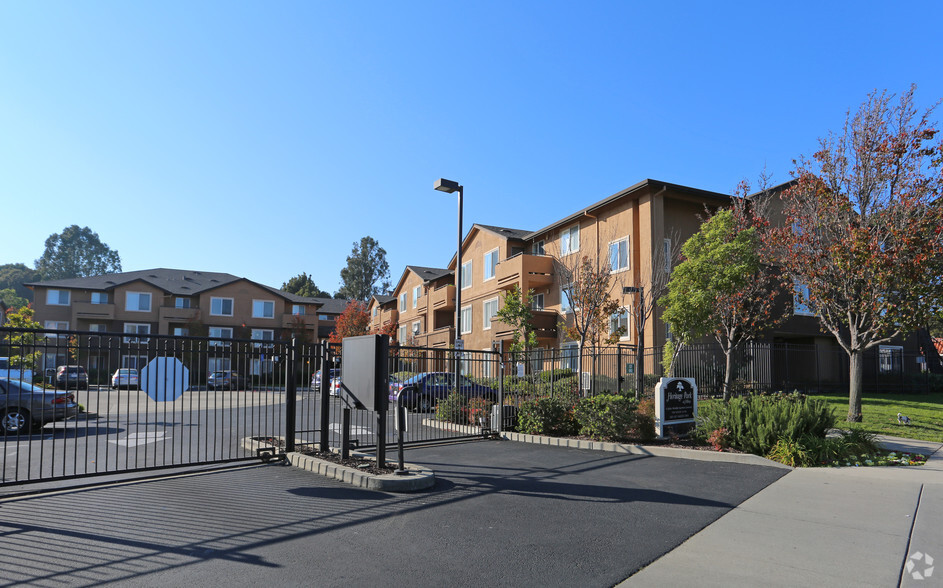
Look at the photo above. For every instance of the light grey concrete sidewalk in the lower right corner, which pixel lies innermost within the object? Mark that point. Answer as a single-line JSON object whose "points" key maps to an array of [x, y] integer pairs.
{"points": [[822, 526]]}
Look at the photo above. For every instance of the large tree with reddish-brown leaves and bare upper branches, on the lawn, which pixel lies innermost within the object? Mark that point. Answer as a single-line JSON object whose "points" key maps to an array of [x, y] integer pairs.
{"points": [[862, 235]]}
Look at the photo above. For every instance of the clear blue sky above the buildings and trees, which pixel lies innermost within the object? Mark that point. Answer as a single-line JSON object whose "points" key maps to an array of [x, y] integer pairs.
{"points": [[263, 138]]}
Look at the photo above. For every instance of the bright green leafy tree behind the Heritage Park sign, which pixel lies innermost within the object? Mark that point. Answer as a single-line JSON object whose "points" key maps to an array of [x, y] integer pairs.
{"points": [[722, 288]]}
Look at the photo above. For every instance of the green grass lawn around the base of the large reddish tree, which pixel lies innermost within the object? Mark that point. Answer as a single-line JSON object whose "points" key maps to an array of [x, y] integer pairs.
{"points": [[879, 414]]}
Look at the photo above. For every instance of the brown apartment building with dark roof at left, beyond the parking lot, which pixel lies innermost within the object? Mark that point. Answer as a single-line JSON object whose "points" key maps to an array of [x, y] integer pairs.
{"points": [[178, 302]]}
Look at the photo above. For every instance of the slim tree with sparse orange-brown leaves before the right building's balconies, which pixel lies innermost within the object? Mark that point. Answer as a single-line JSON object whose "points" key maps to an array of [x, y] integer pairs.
{"points": [[586, 287]]}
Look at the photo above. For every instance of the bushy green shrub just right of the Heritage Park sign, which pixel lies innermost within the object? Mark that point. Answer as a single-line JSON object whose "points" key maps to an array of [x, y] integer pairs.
{"points": [[757, 422]]}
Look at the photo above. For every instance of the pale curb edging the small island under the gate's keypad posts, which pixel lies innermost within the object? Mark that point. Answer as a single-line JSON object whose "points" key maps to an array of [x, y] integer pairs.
{"points": [[419, 478]]}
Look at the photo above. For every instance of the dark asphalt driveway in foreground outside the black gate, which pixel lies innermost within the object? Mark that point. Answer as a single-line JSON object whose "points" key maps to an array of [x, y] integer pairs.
{"points": [[502, 513]]}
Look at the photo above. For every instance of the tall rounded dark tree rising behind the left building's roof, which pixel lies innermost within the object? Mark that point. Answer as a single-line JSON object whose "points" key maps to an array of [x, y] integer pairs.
{"points": [[75, 253]]}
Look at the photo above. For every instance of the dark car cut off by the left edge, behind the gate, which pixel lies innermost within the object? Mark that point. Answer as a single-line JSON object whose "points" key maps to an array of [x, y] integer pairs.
{"points": [[26, 406]]}
